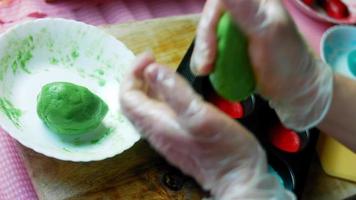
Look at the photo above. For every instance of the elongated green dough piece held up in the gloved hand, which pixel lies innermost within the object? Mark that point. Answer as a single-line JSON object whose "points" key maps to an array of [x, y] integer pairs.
{"points": [[232, 77]]}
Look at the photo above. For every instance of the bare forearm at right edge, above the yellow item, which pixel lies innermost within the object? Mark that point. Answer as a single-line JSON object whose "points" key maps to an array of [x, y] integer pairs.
{"points": [[340, 121]]}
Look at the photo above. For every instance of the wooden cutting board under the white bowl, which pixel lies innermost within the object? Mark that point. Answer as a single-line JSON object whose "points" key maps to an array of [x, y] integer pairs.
{"points": [[138, 173]]}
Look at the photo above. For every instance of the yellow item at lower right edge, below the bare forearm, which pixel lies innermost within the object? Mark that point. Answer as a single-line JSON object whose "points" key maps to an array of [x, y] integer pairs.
{"points": [[336, 159]]}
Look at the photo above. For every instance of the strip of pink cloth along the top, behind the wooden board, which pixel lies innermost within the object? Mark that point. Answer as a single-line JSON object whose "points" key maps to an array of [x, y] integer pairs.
{"points": [[94, 12]]}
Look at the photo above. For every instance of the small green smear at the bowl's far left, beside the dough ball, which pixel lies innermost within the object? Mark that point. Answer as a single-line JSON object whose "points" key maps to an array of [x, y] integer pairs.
{"points": [[12, 113]]}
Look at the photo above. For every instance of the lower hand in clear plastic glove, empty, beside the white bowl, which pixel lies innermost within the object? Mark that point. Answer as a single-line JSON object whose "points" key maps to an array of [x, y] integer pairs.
{"points": [[194, 136]]}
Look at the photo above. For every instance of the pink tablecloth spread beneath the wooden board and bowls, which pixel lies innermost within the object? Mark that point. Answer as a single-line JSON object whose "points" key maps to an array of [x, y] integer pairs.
{"points": [[14, 180]]}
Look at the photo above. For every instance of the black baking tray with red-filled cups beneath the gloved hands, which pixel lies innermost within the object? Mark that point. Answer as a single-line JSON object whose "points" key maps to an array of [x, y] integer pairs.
{"points": [[292, 167]]}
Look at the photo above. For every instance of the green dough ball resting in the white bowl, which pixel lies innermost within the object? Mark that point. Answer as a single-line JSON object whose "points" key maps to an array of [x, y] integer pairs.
{"points": [[70, 109]]}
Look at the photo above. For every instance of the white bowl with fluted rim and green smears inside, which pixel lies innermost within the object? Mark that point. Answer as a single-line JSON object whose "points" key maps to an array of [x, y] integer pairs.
{"points": [[47, 50]]}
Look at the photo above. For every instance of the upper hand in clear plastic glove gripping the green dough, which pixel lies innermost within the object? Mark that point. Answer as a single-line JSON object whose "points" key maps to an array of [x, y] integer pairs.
{"points": [[297, 85]]}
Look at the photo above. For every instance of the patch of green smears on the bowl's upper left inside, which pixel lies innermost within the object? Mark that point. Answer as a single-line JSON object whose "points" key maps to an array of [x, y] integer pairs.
{"points": [[17, 56]]}
